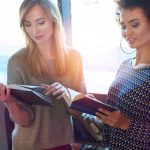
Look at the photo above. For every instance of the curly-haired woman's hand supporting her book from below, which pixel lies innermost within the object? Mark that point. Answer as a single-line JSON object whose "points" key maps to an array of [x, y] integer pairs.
{"points": [[114, 119]]}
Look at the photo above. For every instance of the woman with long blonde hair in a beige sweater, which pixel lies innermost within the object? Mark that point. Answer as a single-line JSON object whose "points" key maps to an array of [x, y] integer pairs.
{"points": [[47, 60]]}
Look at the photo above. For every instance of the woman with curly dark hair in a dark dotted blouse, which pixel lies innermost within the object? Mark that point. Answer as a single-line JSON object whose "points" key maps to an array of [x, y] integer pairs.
{"points": [[128, 128]]}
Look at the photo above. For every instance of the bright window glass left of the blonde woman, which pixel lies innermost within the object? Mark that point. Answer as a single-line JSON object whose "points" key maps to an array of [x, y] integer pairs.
{"points": [[11, 37]]}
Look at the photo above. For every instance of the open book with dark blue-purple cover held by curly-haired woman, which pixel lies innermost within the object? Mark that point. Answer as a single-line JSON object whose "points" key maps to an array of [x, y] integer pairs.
{"points": [[85, 103]]}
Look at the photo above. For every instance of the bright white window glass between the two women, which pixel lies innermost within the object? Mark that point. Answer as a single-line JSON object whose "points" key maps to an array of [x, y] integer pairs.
{"points": [[96, 34]]}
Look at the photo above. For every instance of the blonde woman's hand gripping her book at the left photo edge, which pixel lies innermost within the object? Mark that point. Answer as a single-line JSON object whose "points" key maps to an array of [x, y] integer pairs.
{"points": [[5, 95]]}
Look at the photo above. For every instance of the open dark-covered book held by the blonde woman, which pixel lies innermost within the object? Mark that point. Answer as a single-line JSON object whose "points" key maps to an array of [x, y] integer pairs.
{"points": [[31, 94]]}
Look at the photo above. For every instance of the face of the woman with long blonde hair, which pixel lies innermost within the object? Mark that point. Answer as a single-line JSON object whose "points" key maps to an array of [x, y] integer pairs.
{"points": [[38, 26]]}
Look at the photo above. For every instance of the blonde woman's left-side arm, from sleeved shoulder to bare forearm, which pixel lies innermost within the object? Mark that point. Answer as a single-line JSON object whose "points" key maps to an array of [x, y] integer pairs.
{"points": [[19, 113]]}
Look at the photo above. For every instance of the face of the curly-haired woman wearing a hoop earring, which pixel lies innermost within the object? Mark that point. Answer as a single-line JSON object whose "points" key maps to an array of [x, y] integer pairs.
{"points": [[135, 27]]}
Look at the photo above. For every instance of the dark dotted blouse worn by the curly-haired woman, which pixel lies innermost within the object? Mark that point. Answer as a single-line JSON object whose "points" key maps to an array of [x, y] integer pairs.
{"points": [[130, 92]]}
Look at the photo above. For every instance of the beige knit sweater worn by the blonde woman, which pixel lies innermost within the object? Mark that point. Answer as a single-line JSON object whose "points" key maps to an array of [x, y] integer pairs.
{"points": [[52, 126]]}
